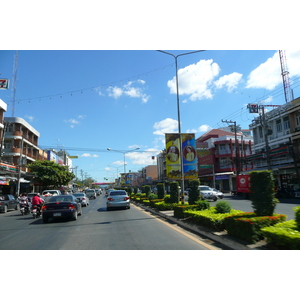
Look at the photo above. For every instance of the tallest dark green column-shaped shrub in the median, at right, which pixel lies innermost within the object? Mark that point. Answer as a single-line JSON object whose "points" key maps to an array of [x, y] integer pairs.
{"points": [[263, 193]]}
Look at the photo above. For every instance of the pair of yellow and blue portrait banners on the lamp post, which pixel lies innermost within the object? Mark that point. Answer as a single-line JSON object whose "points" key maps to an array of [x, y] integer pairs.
{"points": [[181, 152]]}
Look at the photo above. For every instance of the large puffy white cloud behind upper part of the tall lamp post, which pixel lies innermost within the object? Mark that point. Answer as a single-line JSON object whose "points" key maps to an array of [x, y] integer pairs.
{"points": [[196, 80]]}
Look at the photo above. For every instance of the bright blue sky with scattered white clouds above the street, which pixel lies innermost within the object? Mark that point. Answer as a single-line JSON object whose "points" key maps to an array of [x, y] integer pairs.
{"points": [[126, 99]]}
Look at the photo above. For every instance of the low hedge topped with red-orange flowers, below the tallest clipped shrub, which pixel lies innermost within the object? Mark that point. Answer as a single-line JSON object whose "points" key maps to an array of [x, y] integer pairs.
{"points": [[247, 226]]}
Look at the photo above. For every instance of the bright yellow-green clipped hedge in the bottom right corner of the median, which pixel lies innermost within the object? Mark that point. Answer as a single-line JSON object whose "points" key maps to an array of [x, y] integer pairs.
{"points": [[283, 236]]}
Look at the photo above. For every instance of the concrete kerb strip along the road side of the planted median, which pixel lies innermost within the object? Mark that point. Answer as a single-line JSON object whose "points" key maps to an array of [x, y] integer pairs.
{"points": [[218, 237]]}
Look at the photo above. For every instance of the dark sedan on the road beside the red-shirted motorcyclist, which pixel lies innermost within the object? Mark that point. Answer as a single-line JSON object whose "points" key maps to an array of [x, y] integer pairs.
{"points": [[61, 206]]}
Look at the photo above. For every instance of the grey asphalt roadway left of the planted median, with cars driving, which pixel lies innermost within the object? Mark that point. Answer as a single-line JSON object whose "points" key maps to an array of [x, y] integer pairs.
{"points": [[97, 229]]}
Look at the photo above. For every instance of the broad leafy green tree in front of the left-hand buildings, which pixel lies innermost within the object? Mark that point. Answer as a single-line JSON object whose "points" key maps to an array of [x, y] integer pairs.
{"points": [[48, 173]]}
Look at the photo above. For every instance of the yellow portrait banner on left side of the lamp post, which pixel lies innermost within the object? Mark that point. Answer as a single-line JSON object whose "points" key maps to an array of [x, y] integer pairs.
{"points": [[173, 155]]}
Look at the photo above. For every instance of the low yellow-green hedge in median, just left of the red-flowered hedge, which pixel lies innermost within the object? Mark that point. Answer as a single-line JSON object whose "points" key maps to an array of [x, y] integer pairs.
{"points": [[209, 218]]}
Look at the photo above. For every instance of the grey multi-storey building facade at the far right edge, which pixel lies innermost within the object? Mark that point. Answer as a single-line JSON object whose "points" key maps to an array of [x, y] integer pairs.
{"points": [[277, 143]]}
